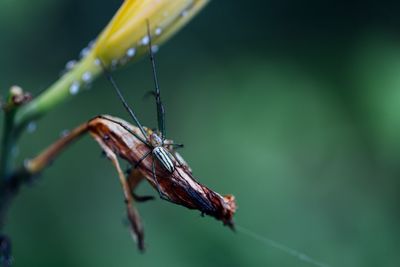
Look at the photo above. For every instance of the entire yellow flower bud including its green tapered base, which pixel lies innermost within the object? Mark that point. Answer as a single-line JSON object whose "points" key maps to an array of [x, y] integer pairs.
{"points": [[124, 39]]}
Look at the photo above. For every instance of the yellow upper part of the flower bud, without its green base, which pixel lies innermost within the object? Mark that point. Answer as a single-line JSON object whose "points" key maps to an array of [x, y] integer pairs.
{"points": [[125, 38]]}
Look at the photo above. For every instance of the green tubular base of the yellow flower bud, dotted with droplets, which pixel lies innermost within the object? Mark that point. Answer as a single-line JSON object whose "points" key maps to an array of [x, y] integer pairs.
{"points": [[85, 71]]}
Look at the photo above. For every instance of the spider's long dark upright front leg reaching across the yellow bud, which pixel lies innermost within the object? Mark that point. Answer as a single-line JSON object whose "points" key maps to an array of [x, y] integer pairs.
{"points": [[160, 107]]}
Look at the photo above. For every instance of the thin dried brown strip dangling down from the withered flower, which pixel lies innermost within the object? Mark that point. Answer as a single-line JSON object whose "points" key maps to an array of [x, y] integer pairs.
{"points": [[133, 215]]}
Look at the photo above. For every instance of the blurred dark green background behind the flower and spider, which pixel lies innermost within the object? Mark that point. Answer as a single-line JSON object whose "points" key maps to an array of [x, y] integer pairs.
{"points": [[292, 106]]}
